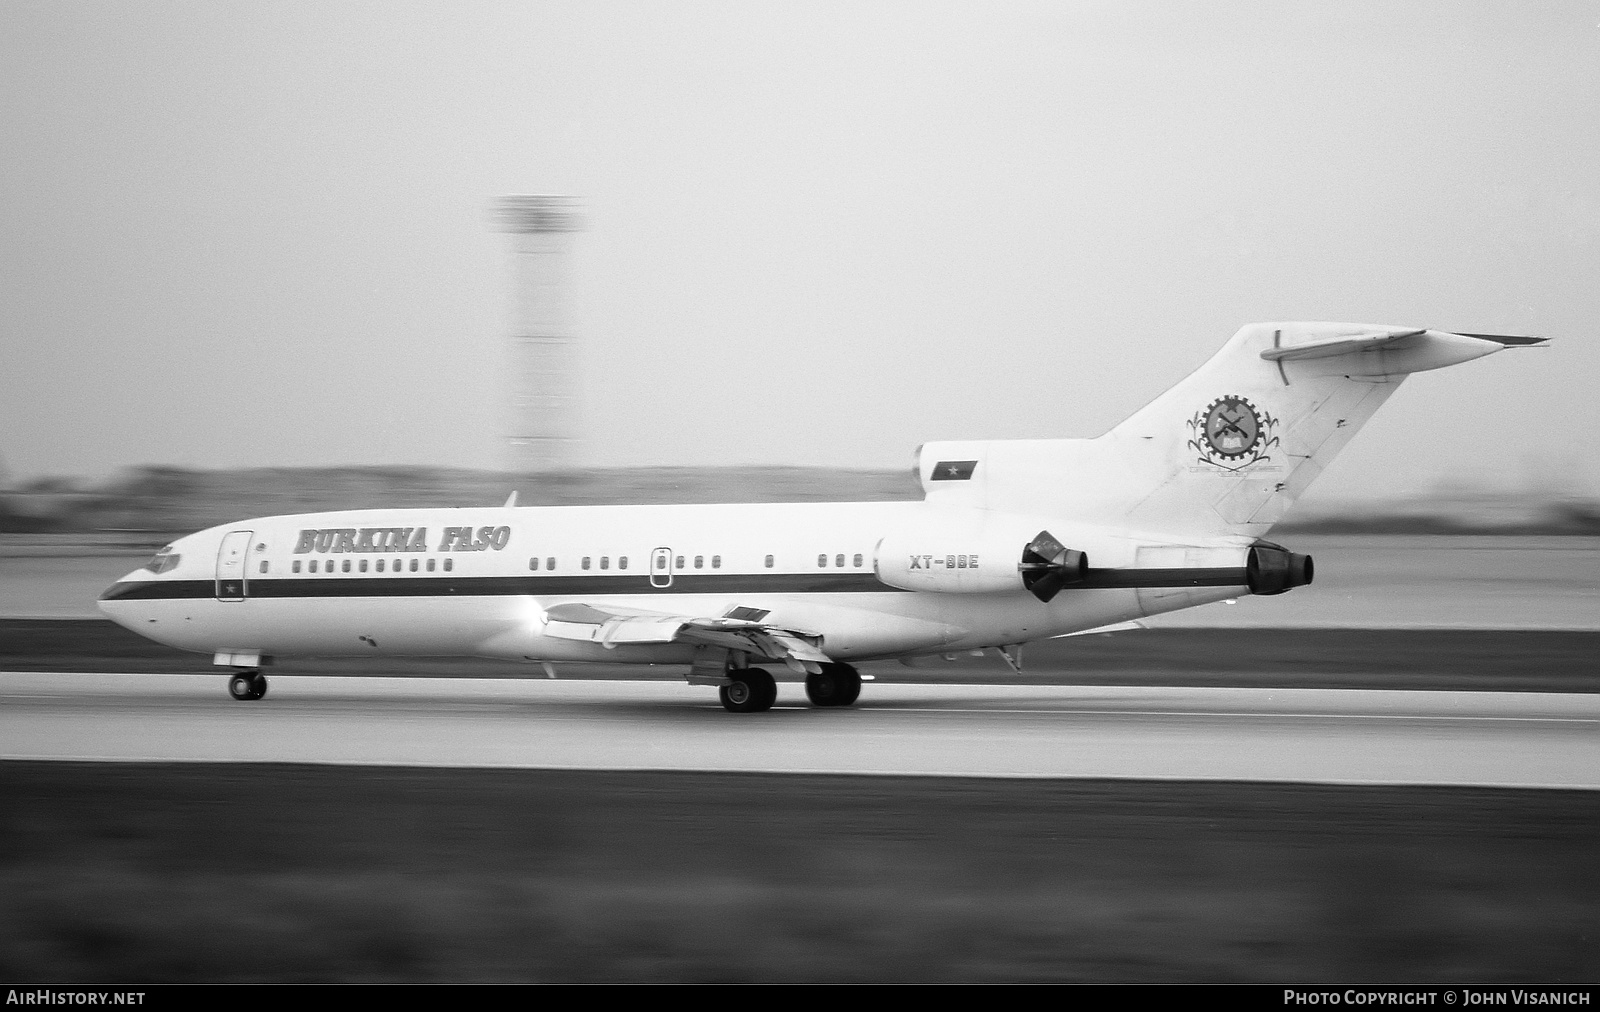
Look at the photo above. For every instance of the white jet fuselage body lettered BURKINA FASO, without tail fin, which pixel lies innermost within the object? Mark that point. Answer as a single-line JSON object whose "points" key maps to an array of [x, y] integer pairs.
{"points": [[481, 582]]}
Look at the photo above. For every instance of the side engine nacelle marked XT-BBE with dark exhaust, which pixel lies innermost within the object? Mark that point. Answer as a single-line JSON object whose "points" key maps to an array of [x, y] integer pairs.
{"points": [[988, 563]]}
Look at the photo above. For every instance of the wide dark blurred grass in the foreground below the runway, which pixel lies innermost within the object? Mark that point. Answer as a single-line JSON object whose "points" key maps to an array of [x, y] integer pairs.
{"points": [[150, 873]]}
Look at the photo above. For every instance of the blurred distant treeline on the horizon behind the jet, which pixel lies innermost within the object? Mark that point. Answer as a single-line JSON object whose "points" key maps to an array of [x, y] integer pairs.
{"points": [[161, 502]]}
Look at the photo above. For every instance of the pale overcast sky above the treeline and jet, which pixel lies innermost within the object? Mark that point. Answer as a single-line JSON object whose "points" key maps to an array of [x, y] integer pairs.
{"points": [[249, 235]]}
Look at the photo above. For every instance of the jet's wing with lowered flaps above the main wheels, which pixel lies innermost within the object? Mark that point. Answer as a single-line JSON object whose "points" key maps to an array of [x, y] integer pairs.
{"points": [[737, 630]]}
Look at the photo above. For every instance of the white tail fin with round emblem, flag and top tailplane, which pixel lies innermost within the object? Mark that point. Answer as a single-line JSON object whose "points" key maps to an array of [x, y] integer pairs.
{"points": [[1228, 449]]}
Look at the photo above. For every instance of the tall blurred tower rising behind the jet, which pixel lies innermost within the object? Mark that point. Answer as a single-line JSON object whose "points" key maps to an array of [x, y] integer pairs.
{"points": [[542, 432]]}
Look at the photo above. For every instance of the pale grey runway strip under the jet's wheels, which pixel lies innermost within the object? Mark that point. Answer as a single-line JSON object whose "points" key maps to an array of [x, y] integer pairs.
{"points": [[1313, 736]]}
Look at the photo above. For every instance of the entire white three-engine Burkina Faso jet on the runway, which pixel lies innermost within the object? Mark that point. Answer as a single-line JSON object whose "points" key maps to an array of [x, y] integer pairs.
{"points": [[1014, 542]]}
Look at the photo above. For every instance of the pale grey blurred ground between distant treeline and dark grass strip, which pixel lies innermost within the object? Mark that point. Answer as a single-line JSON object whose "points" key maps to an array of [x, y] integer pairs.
{"points": [[1362, 582]]}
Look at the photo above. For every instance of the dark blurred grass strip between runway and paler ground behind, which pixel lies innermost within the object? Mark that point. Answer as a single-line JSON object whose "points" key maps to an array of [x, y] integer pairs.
{"points": [[1487, 661]]}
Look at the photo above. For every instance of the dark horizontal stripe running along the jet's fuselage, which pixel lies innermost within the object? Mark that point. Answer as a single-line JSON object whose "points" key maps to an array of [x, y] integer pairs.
{"points": [[562, 587]]}
